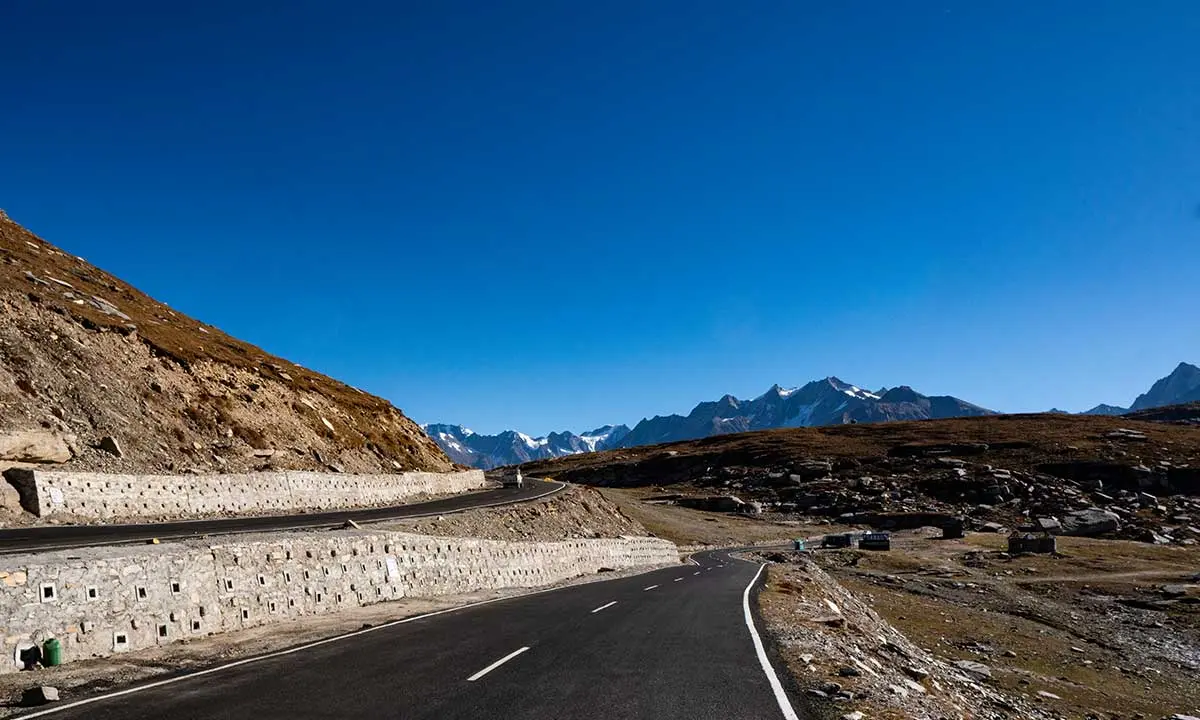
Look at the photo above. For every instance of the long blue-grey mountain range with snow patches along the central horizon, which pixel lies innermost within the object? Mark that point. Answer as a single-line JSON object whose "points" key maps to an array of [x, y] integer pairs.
{"points": [[821, 403]]}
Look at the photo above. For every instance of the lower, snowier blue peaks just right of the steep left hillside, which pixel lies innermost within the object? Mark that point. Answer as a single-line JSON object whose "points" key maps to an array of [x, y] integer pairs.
{"points": [[511, 447]]}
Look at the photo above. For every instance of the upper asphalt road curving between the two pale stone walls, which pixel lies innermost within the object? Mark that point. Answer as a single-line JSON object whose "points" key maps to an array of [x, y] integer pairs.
{"points": [[65, 537]]}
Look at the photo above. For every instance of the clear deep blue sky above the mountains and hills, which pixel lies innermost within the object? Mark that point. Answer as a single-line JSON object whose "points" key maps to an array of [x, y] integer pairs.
{"points": [[557, 215]]}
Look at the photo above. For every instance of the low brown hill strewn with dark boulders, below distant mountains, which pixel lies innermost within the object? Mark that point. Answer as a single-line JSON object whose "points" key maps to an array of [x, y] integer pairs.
{"points": [[1071, 475]]}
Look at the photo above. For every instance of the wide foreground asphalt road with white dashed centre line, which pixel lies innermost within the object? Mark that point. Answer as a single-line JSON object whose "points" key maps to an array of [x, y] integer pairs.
{"points": [[673, 644]]}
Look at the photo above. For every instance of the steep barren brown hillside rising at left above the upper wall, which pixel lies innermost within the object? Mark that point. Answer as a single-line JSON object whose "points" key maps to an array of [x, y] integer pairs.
{"points": [[86, 357]]}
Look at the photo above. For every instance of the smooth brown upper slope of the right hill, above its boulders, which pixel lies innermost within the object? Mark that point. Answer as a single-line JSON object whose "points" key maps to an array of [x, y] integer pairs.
{"points": [[1016, 442]]}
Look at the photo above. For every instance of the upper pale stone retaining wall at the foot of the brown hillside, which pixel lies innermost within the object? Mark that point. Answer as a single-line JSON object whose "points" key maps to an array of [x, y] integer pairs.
{"points": [[97, 496]]}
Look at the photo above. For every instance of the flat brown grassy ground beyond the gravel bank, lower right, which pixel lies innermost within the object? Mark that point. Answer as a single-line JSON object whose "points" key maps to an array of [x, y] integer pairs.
{"points": [[1101, 629]]}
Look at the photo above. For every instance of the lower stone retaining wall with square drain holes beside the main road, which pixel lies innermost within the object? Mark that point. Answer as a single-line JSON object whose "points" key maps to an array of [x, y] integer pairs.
{"points": [[106, 601]]}
